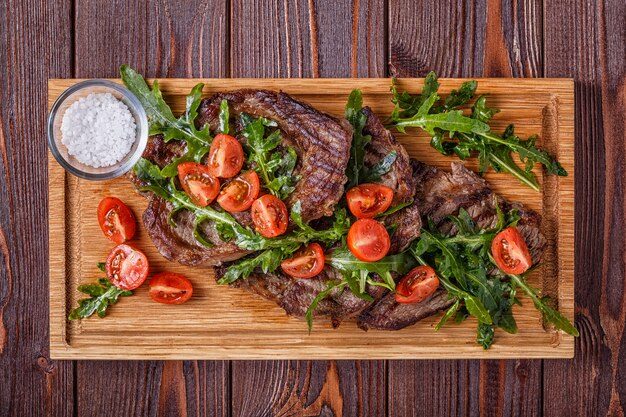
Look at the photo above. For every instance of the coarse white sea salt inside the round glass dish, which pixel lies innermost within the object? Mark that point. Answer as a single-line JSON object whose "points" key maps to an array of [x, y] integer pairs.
{"points": [[98, 130]]}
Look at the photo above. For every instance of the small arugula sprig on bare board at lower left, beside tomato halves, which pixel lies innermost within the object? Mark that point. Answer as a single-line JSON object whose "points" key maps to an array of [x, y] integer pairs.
{"points": [[102, 295]]}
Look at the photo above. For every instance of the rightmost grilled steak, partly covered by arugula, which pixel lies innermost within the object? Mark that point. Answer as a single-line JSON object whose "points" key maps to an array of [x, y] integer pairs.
{"points": [[438, 195]]}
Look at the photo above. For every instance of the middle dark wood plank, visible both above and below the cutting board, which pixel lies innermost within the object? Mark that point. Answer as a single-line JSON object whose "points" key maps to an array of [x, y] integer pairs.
{"points": [[308, 39]]}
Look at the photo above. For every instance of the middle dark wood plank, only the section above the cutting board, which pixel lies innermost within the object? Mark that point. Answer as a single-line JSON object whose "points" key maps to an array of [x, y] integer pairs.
{"points": [[308, 38]]}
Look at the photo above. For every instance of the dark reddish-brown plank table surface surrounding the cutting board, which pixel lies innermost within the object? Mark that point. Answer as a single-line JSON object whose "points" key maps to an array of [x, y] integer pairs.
{"points": [[583, 39]]}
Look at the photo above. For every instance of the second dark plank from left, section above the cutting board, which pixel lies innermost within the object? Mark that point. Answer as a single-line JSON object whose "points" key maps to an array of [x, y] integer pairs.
{"points": [[157, 38]]}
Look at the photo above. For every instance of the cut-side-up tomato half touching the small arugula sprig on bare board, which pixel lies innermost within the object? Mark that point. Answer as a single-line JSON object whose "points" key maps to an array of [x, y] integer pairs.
{"points": [[126, 267]]}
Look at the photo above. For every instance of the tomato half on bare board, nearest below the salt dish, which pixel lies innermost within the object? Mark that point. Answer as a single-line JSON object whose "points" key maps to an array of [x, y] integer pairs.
{"points": [[116, 220]]}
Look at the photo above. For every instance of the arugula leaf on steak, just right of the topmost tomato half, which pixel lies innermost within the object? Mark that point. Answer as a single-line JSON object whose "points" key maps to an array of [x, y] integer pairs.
{"points": [[273, 166]]}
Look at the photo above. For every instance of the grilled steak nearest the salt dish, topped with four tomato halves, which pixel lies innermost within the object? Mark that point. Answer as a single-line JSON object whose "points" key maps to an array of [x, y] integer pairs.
{"points": [[321, 142]]}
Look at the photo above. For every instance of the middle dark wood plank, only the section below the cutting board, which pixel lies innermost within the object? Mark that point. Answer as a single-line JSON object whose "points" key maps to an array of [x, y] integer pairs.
{"points": [[308, 388]]}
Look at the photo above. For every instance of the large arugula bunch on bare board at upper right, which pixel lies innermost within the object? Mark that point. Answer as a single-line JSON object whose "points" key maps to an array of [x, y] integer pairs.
{"points": [[469, 134]]}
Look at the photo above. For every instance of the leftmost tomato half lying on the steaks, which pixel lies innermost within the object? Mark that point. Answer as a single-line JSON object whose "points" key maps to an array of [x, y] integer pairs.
{"points": [[198, 183]]}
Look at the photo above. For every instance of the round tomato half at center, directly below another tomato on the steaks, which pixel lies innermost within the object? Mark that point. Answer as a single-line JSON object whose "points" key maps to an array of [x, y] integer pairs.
{"points": [[368, 240]]}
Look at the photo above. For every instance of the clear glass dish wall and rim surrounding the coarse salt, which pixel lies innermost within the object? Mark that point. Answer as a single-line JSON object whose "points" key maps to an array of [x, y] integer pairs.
{"points": [[83, 89]]}
